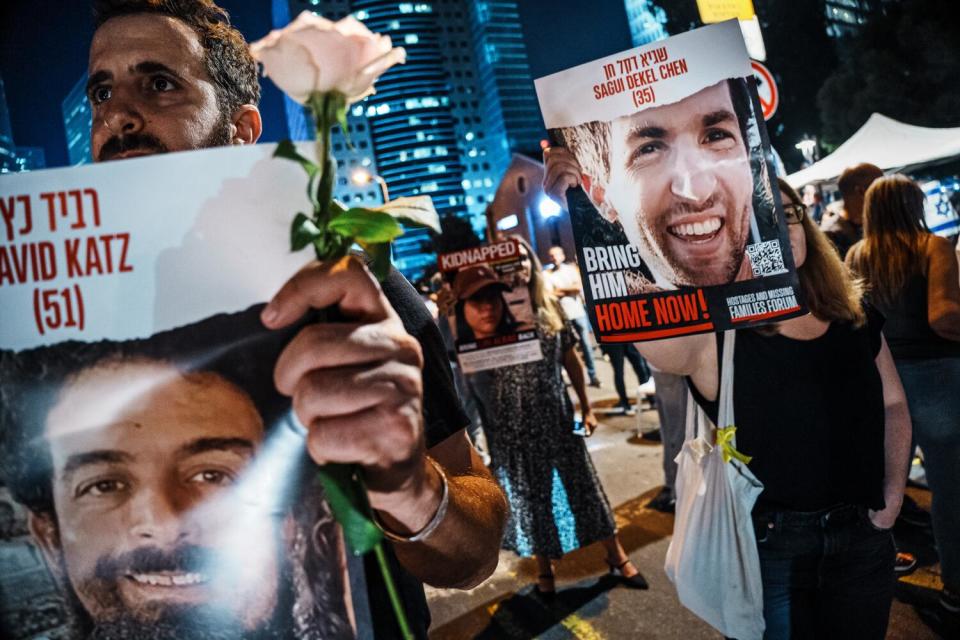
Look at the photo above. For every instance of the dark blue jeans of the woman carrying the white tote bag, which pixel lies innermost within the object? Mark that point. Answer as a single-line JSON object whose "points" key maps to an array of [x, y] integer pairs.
{"points": [[825, 574]]}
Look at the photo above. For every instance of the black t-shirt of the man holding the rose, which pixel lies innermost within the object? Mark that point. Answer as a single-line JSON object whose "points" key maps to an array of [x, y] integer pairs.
{"points": [[443, 416]]}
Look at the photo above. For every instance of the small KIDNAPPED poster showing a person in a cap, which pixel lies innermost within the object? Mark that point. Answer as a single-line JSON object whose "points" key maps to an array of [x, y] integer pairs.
{"points": [[490, 313]]}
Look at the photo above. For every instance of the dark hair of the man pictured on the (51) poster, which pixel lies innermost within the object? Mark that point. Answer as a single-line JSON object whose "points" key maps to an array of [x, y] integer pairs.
{"points": [[234, 347]]}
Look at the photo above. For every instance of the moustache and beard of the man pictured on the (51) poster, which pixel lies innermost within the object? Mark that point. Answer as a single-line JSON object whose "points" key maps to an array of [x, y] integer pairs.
{"points": [[118, 620]]}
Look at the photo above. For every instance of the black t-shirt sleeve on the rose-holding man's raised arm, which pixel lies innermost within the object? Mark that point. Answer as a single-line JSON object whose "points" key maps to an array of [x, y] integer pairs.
{"points": [[442, 413]]}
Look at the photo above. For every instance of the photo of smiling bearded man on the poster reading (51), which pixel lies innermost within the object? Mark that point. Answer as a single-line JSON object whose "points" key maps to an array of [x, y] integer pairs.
{"points": [[167, 496]]}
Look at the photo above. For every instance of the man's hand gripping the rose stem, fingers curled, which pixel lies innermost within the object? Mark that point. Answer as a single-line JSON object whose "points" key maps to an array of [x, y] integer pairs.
{"points": [[357, 386]]}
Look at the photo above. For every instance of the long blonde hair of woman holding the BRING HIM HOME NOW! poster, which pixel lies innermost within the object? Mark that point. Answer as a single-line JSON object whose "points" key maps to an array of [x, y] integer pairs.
{"points": [[829, 290]]}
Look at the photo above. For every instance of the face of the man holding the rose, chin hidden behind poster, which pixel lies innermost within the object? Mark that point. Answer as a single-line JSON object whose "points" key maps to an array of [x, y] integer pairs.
{"points": [[150, 90]]}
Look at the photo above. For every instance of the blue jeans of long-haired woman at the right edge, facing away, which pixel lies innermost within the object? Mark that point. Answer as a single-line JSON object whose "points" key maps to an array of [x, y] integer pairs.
{"points": [[933, 393]]}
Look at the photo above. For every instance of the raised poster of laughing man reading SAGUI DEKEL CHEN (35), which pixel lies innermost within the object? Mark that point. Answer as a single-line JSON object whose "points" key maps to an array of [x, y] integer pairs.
{"points": [[678, 224]]}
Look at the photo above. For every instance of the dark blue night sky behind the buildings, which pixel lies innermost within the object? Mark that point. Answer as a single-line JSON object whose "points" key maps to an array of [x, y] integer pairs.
{"points": [[43, 52]]}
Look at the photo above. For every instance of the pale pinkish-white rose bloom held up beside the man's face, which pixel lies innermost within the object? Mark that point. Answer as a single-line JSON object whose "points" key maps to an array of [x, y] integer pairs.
{"points": [[315, 54]]}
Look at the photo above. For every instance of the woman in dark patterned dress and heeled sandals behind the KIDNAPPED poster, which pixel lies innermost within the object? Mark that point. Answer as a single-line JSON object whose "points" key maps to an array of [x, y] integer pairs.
{"points": [[556, 501]]}
